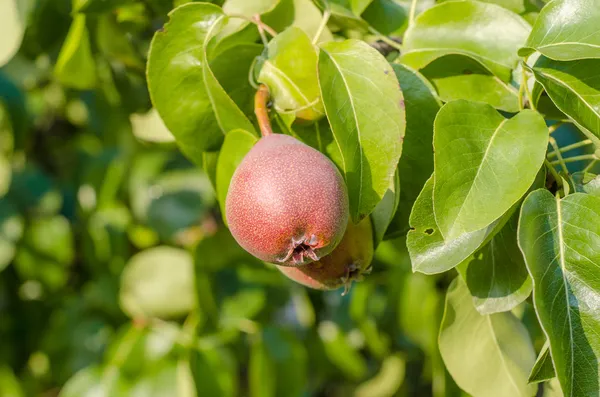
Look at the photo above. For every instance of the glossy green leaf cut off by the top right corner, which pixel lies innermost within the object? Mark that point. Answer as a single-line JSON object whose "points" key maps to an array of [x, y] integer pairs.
{"points": [[566, 30]]}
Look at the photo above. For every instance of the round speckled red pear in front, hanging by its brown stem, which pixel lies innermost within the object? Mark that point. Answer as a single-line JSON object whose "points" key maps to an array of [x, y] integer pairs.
{"points": [[287, 202]]}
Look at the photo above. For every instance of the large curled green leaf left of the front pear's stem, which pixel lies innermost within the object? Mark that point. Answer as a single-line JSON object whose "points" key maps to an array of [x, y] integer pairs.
{"points": [[183, 88]]}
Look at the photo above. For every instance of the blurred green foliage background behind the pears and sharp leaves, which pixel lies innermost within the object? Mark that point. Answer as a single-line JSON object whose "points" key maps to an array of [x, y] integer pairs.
{"points": [[117, 276]]}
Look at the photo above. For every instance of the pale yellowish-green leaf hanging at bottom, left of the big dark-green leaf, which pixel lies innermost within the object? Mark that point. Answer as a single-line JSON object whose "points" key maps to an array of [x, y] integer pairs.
{"points": [[495, 347]]}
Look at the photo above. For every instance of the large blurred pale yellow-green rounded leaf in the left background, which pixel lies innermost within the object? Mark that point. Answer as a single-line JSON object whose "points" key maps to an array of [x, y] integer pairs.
{"points": [[158, 282]]}
